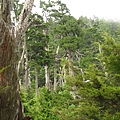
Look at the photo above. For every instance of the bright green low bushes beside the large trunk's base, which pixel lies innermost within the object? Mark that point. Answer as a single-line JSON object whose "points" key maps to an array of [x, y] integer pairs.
{"points": [[48, 104]]}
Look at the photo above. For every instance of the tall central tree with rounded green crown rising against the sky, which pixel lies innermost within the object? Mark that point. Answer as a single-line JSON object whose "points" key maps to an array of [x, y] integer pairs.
{"points": [[63, 32]]}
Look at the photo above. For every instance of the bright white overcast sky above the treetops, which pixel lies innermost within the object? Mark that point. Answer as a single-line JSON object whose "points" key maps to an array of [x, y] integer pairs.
{"points": [[107, 9]]}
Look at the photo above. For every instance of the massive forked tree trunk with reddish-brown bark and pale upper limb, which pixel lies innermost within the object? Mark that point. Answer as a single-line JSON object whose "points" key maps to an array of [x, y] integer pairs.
{"points": [[10, 101]]}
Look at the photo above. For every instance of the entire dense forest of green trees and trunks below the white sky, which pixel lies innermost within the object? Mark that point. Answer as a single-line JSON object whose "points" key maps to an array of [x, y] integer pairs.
{"points": [[64, 68]]}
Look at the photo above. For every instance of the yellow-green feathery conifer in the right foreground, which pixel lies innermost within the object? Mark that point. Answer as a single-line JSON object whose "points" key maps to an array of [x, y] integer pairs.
{"points": [[99, 92]]}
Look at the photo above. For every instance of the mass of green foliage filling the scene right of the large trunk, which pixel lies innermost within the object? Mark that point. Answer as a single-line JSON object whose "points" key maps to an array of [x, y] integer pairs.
{"points": [[95, 61]]}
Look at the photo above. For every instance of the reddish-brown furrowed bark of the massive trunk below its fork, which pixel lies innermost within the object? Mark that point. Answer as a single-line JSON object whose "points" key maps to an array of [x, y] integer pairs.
{"points": [[10, 106]]}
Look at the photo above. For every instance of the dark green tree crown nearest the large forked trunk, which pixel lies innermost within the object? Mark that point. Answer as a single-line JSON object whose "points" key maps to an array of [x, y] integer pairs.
{"points": [[37, 43]]}
